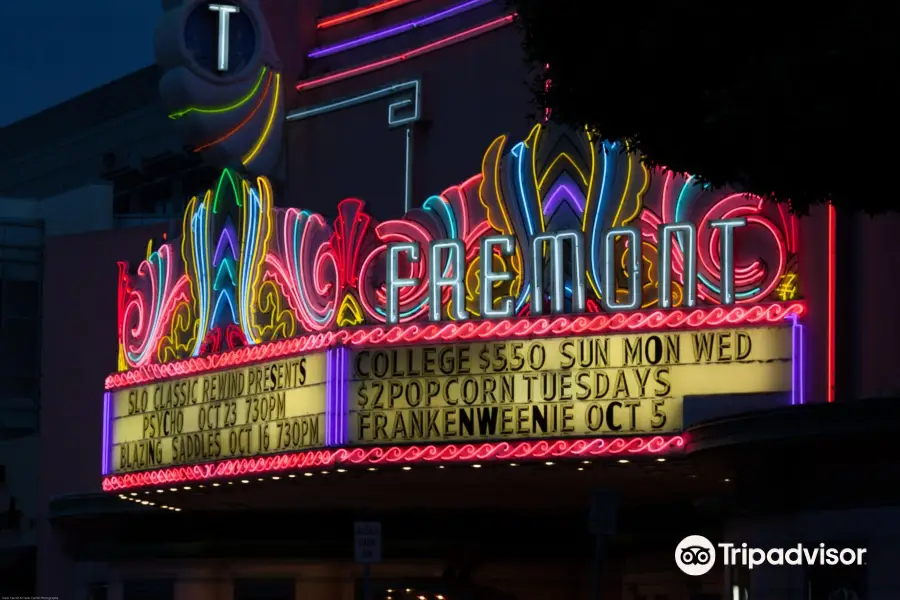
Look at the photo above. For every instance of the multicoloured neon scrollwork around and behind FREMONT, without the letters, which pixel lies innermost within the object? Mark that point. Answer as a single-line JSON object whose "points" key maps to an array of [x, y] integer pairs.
{"points": [[251, 273]]}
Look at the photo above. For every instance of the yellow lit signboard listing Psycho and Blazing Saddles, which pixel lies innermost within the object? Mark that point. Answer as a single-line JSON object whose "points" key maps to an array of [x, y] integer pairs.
{"points": [[244, 412]]}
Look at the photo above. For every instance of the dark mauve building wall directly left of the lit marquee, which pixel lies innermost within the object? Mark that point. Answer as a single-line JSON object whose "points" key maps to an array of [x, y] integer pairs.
{"points": [[79, 351]]}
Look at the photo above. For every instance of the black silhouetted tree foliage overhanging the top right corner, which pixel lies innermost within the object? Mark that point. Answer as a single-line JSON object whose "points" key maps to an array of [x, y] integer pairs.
{"points": [[794, 102]]}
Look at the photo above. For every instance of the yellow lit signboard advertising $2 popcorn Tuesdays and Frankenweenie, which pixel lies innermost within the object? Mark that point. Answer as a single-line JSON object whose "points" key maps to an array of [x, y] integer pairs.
{"points": [[611, 385]]}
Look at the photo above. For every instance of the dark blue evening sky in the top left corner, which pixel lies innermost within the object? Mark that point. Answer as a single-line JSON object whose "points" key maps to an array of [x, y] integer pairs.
{"points": [[52, 50]]}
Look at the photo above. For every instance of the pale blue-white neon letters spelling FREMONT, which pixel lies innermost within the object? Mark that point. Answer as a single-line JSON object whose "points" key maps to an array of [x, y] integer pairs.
{"points": [[547, 256]]}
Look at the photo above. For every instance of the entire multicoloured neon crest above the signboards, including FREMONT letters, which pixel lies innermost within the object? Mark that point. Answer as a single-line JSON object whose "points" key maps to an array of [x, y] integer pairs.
{"points": [[557, 212]]}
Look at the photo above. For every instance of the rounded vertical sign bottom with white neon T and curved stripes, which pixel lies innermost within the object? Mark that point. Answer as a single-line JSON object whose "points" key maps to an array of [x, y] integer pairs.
{"points": [[223, 50]]}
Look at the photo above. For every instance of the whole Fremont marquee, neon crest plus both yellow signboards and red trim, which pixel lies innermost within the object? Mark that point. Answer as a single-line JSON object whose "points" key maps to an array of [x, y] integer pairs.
{"points": [[565, 292]]}
